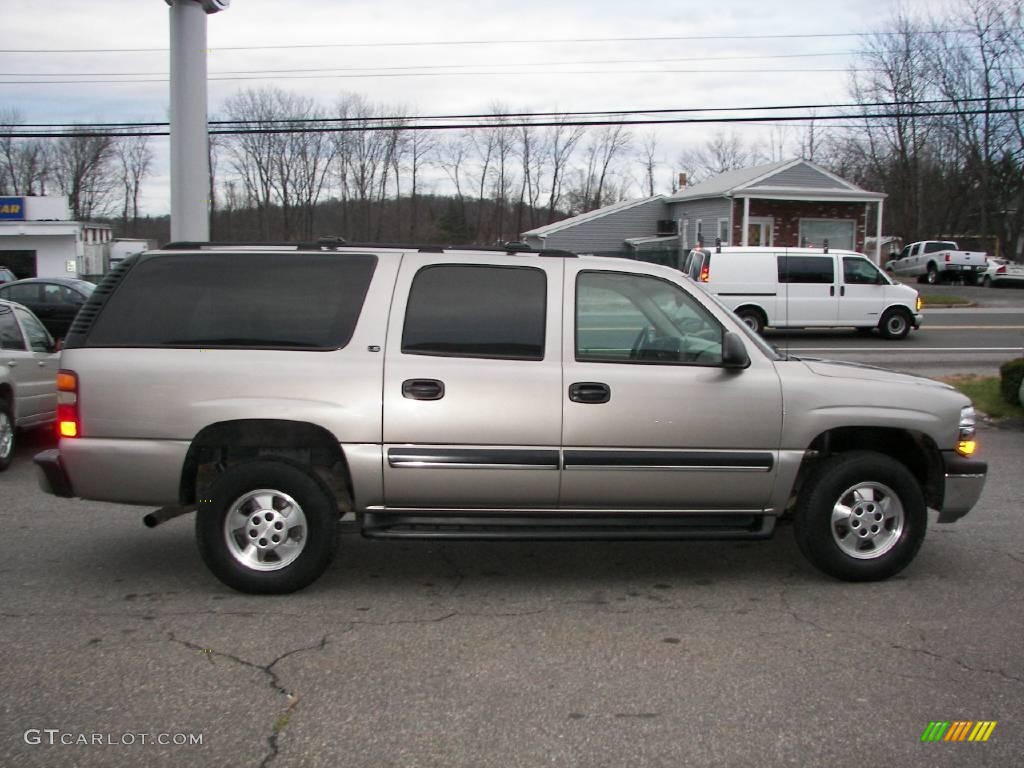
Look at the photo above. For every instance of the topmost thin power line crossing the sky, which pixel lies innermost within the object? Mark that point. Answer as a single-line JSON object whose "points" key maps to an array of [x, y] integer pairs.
{"points": [[532, 41]]}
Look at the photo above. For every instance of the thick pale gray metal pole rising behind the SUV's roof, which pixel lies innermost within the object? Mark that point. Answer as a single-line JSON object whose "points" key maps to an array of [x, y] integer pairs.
{"points": [[190, 136]]}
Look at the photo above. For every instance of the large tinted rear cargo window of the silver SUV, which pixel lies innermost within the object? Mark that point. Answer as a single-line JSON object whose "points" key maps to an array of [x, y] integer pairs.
{"points": [[277, 301]]}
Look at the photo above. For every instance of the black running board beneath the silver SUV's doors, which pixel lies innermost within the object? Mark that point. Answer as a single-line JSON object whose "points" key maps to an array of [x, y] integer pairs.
{"points": [[580, 527]]}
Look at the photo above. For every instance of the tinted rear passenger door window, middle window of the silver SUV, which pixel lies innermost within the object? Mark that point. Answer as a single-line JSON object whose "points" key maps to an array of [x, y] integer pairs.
{"points": [[477, 312]]}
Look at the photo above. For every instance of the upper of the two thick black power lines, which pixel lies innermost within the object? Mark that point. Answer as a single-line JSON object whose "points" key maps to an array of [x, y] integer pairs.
{"points": [[561, 114]]}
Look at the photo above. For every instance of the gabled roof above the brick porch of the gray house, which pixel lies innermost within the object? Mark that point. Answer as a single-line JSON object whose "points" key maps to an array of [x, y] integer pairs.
{"points": [[758, 182]]}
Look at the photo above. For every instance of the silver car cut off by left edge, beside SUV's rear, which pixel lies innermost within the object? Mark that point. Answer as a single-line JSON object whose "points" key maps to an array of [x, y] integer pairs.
{"points": [[28, 376]]}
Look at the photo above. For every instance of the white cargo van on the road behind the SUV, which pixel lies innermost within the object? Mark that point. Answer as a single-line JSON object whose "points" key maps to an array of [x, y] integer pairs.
{"points": [[805, 288]]}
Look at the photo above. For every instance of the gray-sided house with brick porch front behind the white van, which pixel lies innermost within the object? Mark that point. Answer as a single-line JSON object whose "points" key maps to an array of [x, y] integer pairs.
{"points": [[792, 203]]}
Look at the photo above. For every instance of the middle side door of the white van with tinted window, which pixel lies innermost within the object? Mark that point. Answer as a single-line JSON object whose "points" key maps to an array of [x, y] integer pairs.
{"points": [[808, 287]]}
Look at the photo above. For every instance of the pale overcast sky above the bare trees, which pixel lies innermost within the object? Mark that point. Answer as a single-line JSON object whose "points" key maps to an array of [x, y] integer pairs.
{"points": [[477, 76]]}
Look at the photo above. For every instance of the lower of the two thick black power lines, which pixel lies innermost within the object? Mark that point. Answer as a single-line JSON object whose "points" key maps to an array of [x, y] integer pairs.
{"points": [[532, 124]]}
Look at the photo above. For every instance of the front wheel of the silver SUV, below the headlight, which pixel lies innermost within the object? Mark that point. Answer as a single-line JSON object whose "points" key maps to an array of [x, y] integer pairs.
{"points": [[833, 484]]}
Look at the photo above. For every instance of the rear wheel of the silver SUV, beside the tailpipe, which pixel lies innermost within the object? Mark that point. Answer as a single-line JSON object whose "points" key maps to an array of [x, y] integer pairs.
{"points": [[316, 541]]}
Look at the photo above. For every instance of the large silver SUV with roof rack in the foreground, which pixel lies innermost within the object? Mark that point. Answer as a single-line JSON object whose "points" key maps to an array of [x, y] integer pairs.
{"points": [[483, 395]]}
